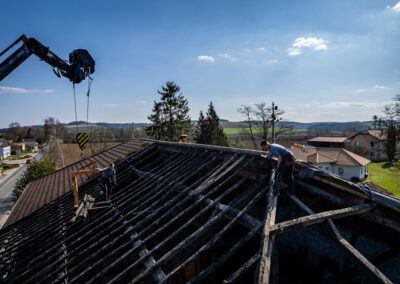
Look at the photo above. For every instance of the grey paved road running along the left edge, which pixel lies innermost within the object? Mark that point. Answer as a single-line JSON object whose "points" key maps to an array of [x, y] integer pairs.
{"points": [[7, 186]]}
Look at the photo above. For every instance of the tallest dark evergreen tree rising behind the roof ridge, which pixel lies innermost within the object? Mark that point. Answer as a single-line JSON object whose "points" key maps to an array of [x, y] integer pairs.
{"points": [[170, 117]]}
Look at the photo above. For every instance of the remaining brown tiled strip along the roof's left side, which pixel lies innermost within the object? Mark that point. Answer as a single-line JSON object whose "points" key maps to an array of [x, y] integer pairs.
{"points": [[49, 188]]}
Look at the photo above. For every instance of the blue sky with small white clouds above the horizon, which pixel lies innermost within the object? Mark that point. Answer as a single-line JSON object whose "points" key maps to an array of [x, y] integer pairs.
{"points": [[319, 60]]}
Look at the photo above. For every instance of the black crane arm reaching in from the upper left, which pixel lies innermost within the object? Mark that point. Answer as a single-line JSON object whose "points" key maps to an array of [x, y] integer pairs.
{"points": [[81, 64]]}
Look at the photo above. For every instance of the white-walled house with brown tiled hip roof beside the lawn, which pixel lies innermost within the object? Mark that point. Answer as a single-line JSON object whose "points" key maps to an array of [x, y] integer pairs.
{"points": [[342, 162]]}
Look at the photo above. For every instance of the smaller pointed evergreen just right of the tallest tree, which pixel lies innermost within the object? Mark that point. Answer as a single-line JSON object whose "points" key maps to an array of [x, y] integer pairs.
{"points": [[209, 130]]}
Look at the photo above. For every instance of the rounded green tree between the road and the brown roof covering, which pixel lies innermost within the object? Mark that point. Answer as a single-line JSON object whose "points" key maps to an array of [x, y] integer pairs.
{"points": [[34, 171]]}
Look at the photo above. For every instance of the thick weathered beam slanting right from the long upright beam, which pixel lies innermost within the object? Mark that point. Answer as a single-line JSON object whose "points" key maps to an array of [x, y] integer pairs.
{"points": [[320, 217]]}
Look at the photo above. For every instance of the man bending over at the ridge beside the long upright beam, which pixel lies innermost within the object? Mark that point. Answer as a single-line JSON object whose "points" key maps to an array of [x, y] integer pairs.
{"points": [[285, 165]]}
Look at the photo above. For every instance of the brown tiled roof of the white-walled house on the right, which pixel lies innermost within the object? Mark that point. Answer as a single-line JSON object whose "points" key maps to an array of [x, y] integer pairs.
{"points": [[339, 156]]}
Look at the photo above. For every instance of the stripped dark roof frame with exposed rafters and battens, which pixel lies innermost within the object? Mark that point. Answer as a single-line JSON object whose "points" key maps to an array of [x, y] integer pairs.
{"points": [[204, 214]]}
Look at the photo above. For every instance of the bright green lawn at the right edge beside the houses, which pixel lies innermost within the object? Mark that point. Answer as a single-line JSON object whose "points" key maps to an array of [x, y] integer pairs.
{"points": [[386, 176]]}
